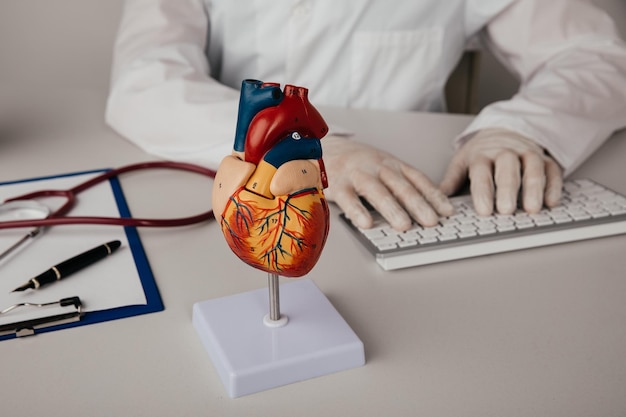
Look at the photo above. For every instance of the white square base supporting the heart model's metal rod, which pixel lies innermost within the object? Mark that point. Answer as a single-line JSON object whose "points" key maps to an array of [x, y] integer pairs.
{"points": [[251, 356]]}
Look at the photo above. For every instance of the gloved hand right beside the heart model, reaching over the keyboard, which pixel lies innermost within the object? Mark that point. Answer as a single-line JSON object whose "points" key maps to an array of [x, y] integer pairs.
{"points": [[395, 189]]}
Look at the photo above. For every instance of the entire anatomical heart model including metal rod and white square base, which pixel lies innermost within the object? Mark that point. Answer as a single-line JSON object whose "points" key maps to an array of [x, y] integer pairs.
{"points": [[268, 198]]}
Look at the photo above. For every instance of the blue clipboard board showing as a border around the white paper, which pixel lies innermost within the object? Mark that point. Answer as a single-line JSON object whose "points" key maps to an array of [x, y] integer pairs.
{"points": [[150, 289]]}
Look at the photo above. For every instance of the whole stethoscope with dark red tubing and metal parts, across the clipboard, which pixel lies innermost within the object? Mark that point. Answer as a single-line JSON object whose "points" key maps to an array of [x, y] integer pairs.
{"points": [[25, 211]]}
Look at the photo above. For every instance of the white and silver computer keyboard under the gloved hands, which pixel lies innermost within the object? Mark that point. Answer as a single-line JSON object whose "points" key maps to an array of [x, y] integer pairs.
{"points": [[588, 210]]}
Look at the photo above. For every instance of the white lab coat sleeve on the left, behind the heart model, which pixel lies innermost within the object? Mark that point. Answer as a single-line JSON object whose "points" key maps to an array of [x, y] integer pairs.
{"points": [[162, 97]]}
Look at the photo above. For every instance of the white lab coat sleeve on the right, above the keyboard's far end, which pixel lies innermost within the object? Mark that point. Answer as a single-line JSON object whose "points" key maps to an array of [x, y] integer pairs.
{"points": [[572, 67]]}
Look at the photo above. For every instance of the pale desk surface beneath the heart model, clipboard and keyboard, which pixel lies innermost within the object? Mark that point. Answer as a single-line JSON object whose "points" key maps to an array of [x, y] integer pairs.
{"points": [[539, 332]]}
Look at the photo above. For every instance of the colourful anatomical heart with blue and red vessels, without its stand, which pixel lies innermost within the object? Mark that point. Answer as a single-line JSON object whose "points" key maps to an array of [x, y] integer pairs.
{"points": [[268, 195]]}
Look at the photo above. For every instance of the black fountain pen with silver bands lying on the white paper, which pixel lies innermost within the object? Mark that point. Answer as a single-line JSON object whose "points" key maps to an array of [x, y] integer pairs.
{"points": [[65, 268]]}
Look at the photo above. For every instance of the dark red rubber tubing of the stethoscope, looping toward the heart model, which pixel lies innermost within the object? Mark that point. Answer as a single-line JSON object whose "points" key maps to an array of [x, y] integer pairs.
{"points": [[58, 218]]}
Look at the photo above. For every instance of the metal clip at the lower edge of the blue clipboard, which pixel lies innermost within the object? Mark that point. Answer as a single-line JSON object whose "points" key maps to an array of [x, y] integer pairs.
{"points": [[27, 327]]}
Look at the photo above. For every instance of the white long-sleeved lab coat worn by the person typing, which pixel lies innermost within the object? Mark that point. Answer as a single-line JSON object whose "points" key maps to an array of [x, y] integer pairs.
{"points": [[172, 101]]}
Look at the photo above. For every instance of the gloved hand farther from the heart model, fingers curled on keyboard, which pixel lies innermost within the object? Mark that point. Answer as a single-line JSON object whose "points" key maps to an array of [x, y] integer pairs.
{"points": [[505, 161]]}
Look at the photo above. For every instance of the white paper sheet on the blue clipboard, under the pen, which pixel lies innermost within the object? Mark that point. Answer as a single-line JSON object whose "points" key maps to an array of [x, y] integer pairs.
{"points": [[111, 282]]}
